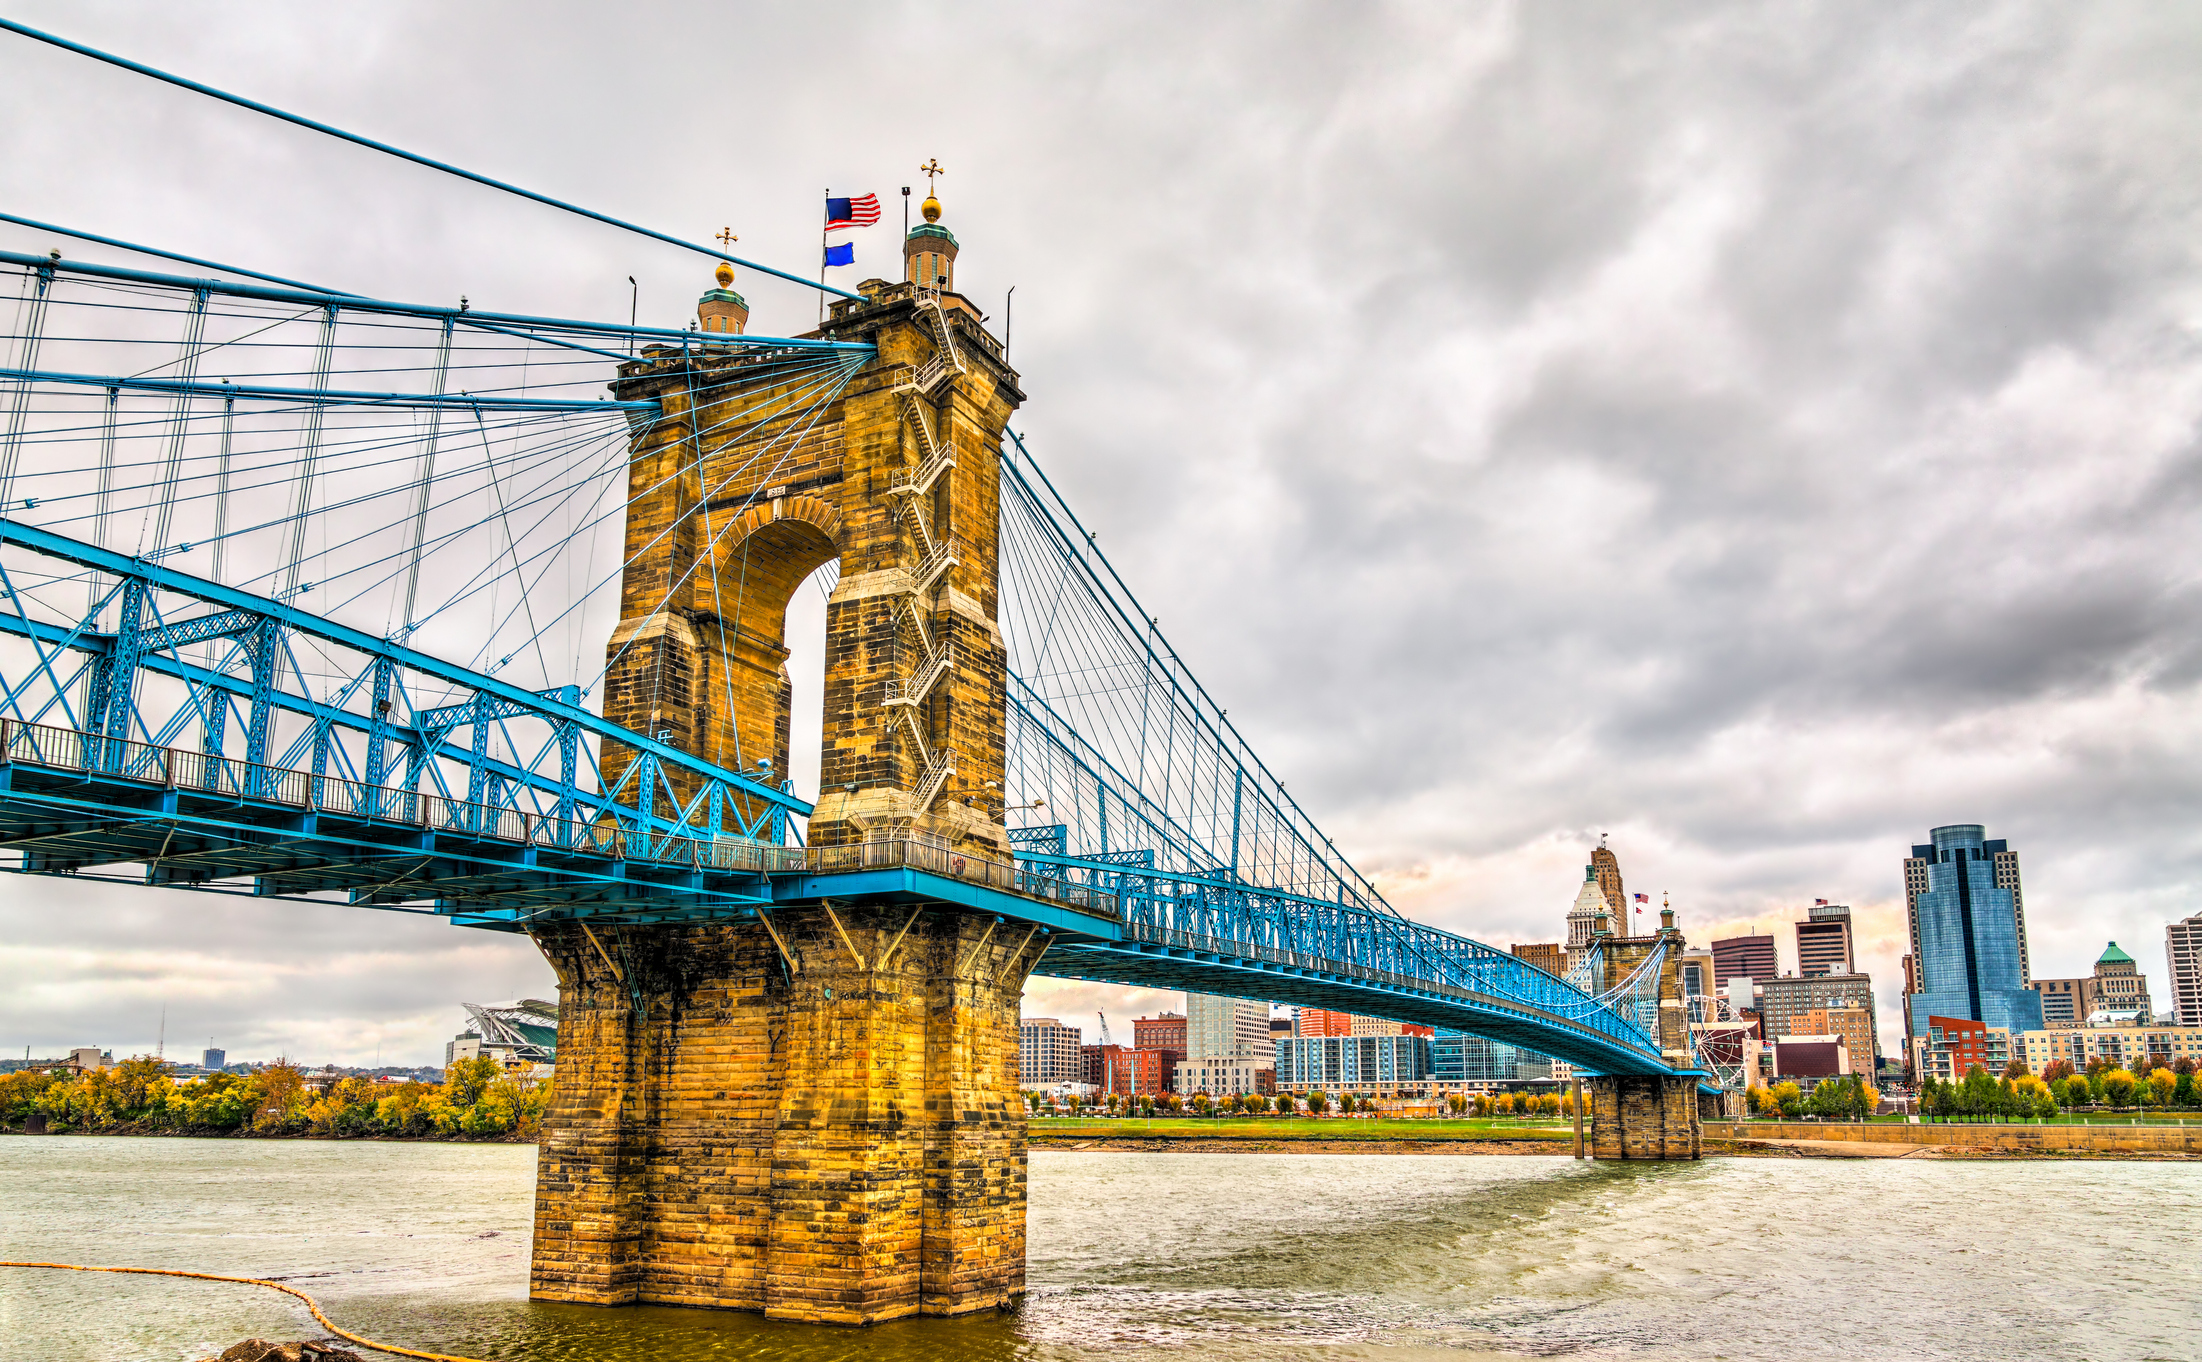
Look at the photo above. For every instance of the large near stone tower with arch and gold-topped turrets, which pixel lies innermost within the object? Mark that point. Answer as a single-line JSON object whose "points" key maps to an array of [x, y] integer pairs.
{"points": [[809, 1112]]}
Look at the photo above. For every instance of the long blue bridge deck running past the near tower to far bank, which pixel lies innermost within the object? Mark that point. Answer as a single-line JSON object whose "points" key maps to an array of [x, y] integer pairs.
{"points": [[76, 804]]}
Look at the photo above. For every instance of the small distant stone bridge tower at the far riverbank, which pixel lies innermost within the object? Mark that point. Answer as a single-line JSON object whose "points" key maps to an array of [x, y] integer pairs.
{"points": [[1648, 1117]]}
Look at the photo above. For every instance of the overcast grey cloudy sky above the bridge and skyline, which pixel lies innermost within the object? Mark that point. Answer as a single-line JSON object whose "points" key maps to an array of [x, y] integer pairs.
{"points": [[1754, 435]]}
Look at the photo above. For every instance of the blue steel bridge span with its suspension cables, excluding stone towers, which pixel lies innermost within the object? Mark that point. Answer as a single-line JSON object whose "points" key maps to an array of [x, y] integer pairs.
{"points": [[305, 597]]}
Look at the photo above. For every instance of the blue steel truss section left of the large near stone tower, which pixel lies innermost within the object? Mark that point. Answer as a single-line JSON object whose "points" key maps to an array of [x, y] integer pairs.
{"points": [[340, 776]]}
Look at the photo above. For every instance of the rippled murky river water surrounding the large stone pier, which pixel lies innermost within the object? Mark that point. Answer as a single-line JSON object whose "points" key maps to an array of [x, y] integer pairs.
{"points": [[1329, 1257]]}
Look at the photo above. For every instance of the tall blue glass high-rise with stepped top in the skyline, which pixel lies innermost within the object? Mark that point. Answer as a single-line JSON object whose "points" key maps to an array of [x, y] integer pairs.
{"points": [[1970, 932]]}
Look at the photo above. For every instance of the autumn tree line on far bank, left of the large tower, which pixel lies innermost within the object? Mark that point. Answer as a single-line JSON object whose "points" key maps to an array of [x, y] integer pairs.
{"points": [[475, 1099]]}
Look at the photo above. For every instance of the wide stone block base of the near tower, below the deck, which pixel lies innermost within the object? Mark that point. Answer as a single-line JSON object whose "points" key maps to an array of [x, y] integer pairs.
{"points": [[829, 1132]]}
